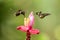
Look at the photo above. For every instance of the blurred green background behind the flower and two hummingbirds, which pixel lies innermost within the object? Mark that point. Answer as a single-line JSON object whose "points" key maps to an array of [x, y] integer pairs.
{"points": [[49, 26]]}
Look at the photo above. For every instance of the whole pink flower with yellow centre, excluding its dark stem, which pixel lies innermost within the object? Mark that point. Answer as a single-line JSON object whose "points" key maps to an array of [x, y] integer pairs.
{"points": [[28, 23]]}
